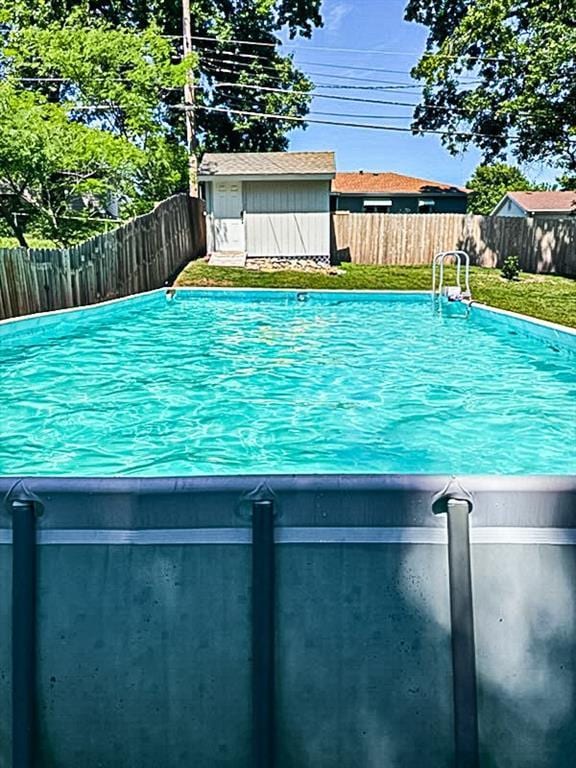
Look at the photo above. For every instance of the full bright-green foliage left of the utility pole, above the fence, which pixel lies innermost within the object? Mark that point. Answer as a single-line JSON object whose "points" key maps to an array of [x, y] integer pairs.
{"points": [[83, 117]]}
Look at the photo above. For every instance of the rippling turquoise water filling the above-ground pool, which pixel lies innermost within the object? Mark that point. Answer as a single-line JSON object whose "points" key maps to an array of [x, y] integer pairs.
{"points": [[236, 383]]}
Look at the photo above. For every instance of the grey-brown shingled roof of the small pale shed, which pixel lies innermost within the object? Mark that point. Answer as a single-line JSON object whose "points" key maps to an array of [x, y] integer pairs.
{"points": [[268, 164]]}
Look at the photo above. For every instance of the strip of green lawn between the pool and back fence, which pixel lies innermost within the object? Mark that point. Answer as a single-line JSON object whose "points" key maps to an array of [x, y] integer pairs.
{"points": [[544, 296]]}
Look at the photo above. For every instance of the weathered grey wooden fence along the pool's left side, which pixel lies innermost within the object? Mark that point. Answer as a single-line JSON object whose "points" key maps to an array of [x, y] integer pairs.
{"points": [[141, 255]]}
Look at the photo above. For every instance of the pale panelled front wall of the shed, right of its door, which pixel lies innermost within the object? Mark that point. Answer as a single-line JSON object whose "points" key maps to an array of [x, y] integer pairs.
{"points": [[290, 218]]}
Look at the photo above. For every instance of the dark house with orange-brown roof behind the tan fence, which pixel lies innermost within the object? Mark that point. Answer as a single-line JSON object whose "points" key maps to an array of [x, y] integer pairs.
{"points": [[385, 192]]}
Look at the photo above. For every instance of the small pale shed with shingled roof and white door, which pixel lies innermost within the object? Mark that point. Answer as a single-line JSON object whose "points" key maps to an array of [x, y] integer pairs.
{"points": [[269, 205]]}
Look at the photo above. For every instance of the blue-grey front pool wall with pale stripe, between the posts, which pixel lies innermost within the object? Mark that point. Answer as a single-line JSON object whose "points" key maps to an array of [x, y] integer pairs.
{"points": [[146, 620]]}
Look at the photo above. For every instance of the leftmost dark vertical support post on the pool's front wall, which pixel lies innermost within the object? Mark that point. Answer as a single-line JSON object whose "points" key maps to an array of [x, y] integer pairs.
{"points": [[24, 740]]}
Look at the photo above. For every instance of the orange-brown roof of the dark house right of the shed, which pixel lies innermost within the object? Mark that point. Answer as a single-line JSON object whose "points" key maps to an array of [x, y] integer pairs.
{"points": [[387, 182]]}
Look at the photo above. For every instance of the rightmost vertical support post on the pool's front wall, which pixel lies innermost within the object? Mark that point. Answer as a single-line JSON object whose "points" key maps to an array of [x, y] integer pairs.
{"points": [[456, 503]]}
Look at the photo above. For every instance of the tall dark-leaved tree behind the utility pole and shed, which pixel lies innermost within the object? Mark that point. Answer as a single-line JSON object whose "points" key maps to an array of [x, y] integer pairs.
{"points": [[224, 67]]}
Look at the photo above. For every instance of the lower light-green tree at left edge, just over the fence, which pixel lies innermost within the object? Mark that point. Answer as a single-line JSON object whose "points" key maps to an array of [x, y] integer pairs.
{"points": [[48, 163]]}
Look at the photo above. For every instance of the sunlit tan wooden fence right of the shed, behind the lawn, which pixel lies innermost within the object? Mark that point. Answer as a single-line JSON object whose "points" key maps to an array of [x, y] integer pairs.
{"points": [[395, 239]]}
